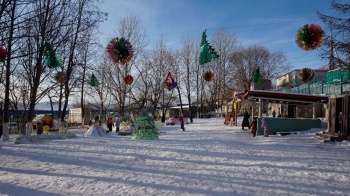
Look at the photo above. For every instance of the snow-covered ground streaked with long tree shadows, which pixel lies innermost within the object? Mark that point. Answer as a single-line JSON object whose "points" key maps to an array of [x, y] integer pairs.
{"points": [[208, 158]]}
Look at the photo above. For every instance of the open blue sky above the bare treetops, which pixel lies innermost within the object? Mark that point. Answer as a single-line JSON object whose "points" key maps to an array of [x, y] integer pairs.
{"points": [[269, 23]]}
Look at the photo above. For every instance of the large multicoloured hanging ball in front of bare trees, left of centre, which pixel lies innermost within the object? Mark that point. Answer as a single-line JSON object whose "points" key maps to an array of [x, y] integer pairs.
{"points": [[119, 50]]}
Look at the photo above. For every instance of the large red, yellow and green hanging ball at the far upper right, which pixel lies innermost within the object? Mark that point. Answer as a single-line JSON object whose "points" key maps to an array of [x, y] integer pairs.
{"points": [[309, 37]]}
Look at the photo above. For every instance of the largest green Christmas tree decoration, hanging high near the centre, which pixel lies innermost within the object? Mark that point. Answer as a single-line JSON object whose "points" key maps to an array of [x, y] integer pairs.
{"points": [[207, 52]]}
